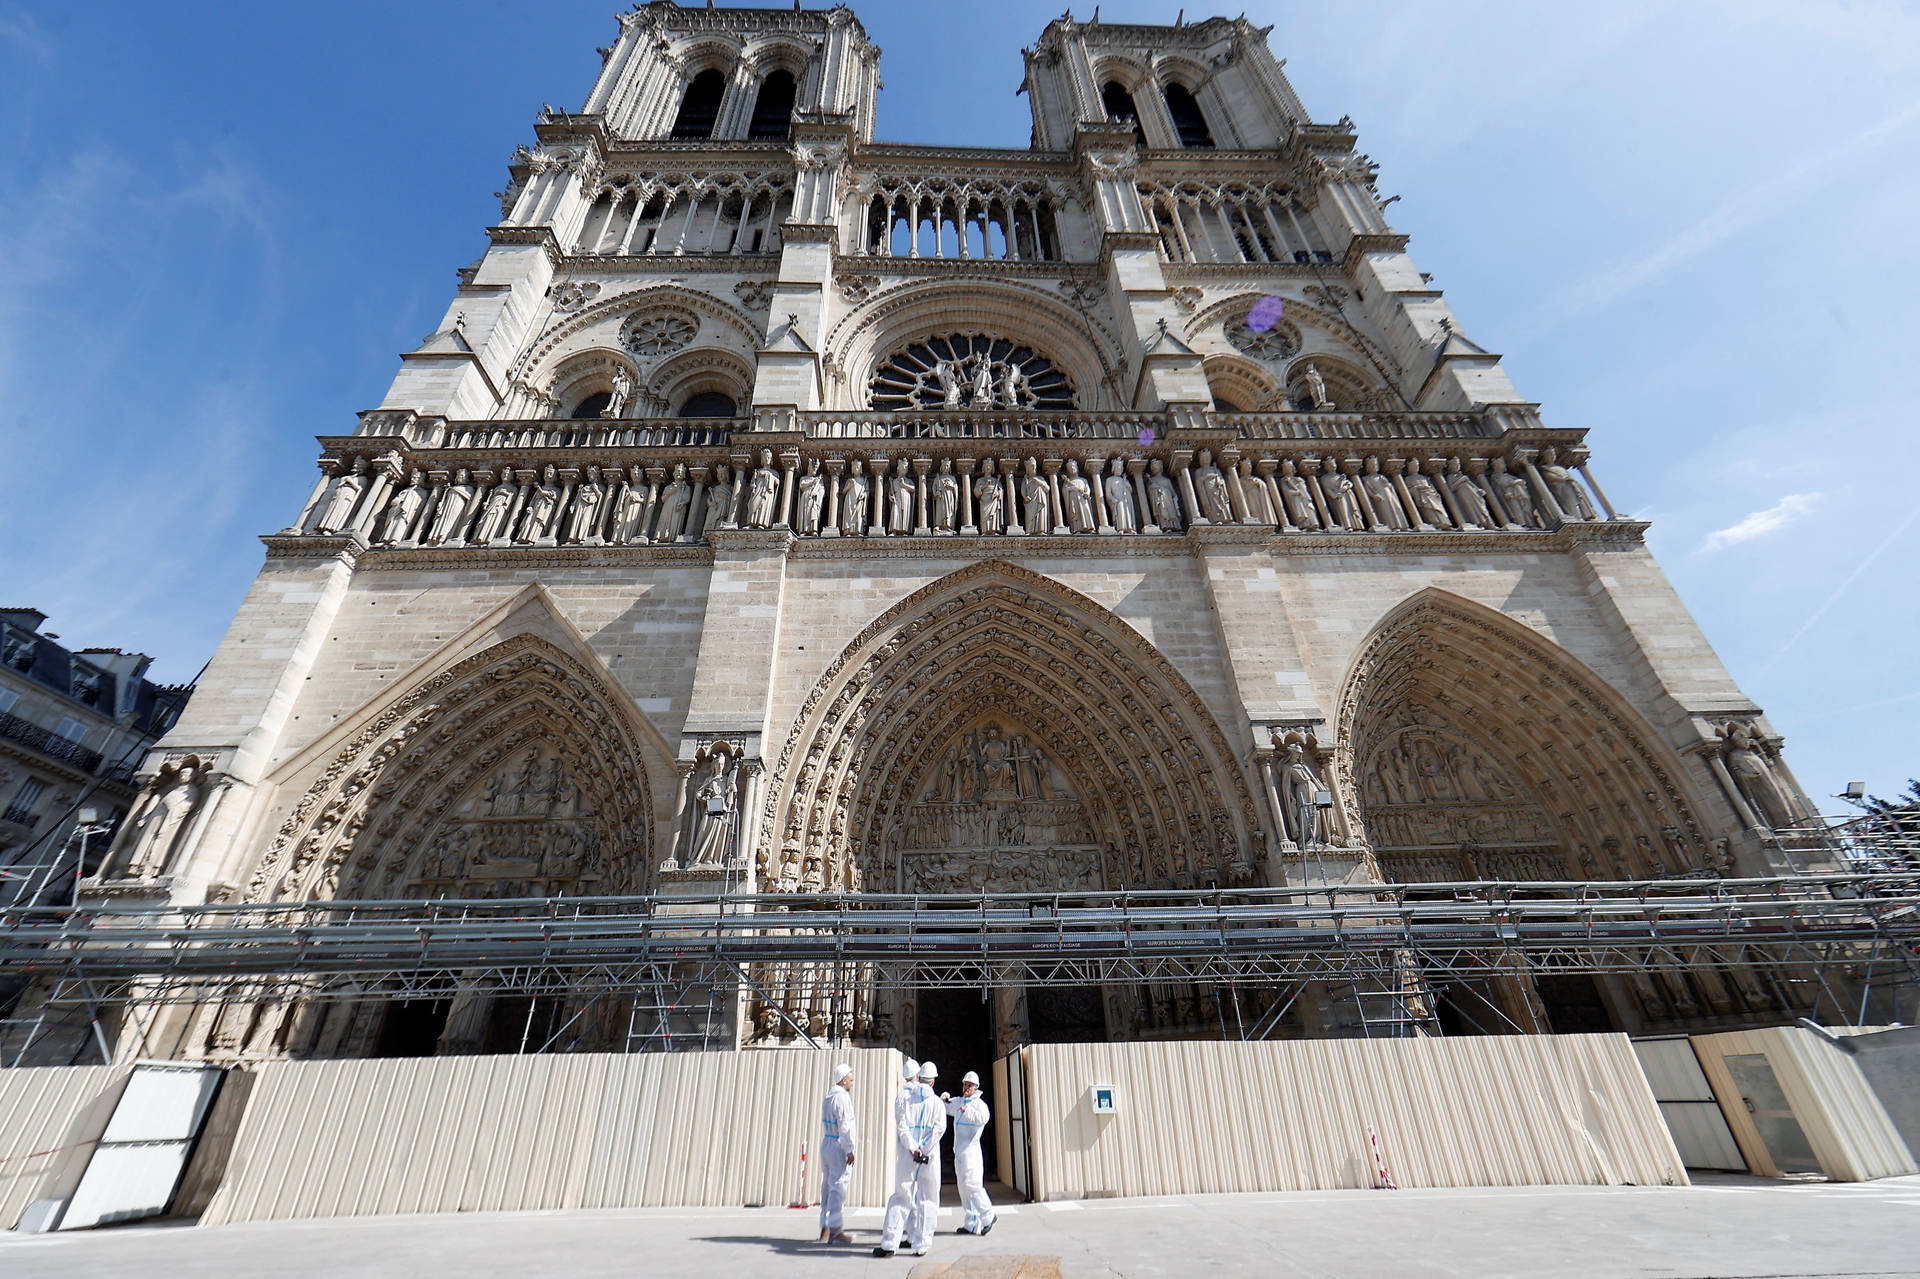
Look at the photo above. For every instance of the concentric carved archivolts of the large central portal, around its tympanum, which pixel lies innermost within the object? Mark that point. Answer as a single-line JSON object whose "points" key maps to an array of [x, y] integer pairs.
{"points": [[1166, 798]]}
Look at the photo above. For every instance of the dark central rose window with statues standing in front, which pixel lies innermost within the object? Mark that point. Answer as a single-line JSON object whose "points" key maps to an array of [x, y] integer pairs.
{"points": [[969, 372]]}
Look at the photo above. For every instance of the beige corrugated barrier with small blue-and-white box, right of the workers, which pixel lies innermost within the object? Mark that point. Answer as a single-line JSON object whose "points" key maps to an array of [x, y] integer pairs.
{"points": [[1297, 1115]]}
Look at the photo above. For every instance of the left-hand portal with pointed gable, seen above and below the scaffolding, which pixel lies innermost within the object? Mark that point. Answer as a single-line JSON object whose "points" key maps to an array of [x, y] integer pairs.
{"points": [[516, 773]]}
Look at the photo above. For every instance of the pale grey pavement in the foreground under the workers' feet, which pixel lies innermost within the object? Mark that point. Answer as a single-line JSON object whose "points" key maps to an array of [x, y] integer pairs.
{"points": [[1727, 1228]]}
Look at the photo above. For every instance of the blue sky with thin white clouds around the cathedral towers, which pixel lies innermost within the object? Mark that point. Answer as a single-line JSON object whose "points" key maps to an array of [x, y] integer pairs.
{"points": [[1691, 229]]}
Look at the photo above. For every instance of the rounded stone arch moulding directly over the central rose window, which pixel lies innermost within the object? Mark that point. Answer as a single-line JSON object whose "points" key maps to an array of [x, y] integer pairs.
{"points": [[1001, 308]]}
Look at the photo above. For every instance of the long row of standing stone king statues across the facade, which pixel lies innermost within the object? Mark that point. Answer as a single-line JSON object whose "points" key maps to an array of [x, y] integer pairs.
{"points": [[921, 496]]}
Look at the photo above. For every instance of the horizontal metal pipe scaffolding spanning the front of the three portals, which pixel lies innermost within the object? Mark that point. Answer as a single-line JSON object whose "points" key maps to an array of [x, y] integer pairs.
{"points": [[1852, 940]]}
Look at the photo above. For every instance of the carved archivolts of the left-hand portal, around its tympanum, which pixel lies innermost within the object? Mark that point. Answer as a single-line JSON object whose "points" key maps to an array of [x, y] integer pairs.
{"points": [[372, 819]]}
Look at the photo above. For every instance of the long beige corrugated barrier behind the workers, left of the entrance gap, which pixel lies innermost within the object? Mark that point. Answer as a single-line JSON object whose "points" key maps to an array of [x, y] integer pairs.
{"points": [[475, 1134]]}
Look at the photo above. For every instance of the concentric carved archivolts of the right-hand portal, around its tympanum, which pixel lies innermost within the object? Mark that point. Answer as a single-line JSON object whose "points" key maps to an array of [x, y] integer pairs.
{"points": [[1614, 796]]}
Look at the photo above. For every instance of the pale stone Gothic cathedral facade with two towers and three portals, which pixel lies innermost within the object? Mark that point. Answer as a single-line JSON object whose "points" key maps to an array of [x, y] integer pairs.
{"points": [[788, 512]]}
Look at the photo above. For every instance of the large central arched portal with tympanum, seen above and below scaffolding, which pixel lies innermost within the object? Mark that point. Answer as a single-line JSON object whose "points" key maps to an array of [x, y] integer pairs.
{"points": [[1001, 733]]}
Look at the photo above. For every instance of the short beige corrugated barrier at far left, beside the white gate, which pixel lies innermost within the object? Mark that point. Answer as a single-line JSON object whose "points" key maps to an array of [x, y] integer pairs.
{"points": [[49, 1122]]}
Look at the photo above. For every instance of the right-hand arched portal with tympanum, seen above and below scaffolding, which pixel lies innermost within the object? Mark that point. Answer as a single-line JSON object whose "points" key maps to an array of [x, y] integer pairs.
{"points": [[1472, 748]]}
